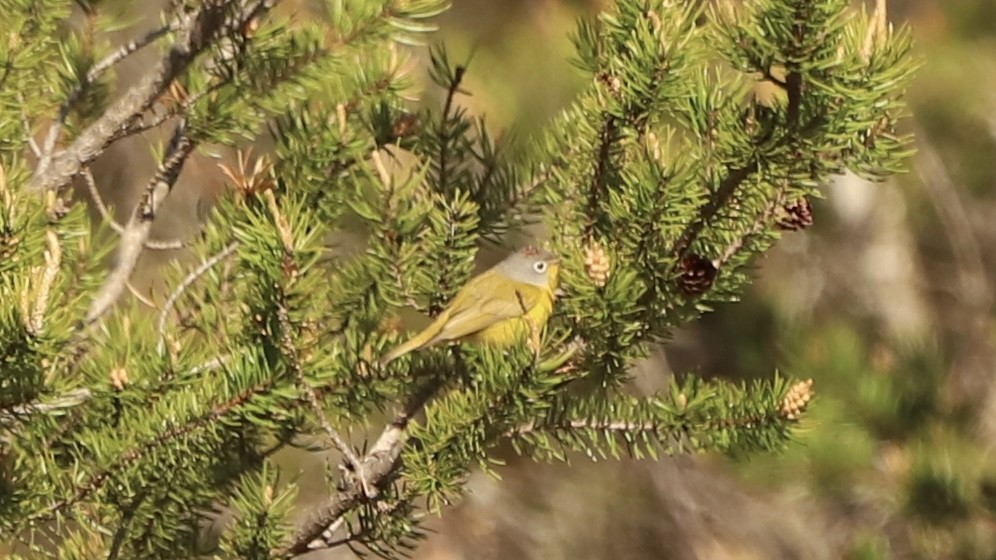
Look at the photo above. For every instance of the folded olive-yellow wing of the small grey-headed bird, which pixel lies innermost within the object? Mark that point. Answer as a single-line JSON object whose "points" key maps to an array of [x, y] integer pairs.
{"points": [[474, 310]]}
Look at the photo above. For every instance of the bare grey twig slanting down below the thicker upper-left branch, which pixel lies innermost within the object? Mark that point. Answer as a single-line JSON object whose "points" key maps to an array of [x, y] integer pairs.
{"points": [[137, 231]]}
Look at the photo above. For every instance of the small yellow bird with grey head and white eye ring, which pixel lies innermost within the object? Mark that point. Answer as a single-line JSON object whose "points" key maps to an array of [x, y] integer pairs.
{"points": [[497, 307]]}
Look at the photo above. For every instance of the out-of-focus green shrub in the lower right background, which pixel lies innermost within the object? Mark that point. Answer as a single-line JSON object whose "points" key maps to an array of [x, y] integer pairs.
{"points": [[883, 442]]}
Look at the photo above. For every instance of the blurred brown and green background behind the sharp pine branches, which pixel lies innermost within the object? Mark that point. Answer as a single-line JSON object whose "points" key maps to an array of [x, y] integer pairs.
{"points": [[886, 302]]}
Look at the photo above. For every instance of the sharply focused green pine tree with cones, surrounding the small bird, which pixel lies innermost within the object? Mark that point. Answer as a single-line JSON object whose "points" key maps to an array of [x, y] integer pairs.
{"points": [[659, 186]]}
